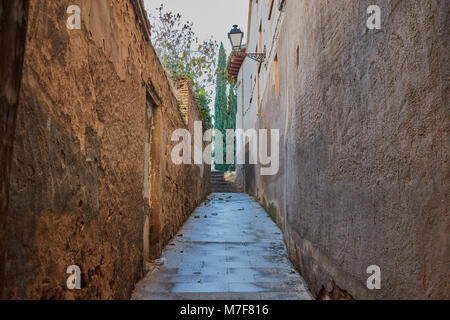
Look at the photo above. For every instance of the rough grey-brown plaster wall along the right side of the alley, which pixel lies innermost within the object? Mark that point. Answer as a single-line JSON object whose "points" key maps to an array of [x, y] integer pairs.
{"points": [[364, 146]]}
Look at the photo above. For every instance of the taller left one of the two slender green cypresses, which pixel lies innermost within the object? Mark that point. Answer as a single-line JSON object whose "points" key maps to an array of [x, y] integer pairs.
{"points": [[220, 105]]}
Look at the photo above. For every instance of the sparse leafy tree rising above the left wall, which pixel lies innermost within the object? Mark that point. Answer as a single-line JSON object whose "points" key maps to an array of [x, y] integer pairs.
{"points": [[184, 56]]}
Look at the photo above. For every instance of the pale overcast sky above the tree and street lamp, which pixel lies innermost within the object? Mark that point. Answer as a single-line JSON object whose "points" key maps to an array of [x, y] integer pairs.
{"points": [[210, 17]]}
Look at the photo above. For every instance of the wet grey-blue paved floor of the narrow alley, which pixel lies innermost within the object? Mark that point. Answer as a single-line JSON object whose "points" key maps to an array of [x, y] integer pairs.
{"points": [[228, 249]]}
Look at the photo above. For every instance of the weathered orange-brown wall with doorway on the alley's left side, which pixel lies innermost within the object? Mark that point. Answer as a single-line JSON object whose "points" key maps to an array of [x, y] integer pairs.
{"points": [[92, 183]]}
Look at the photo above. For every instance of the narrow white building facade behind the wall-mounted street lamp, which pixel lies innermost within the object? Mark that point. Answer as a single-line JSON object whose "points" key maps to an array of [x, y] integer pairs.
{"points": [[254, 79]]}
